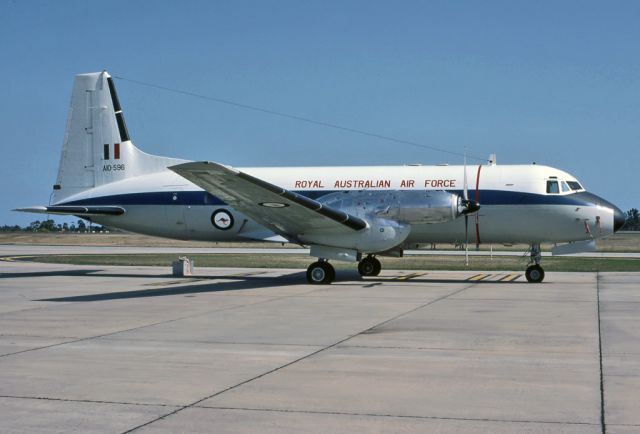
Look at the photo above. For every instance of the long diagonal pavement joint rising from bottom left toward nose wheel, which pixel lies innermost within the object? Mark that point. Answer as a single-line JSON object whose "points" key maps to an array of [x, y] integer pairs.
{"points": [[299, 359]]}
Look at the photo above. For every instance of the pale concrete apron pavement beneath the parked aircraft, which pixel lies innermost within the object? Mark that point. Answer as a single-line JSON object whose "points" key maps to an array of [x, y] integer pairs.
{"points": [[119, 349]]}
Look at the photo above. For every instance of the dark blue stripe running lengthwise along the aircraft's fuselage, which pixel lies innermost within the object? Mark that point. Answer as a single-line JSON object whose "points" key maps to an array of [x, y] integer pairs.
{"points": [[486, 197]]}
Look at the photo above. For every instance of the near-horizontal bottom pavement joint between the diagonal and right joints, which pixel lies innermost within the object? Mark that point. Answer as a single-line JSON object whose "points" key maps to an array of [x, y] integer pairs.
{"points": [[344, 413]]}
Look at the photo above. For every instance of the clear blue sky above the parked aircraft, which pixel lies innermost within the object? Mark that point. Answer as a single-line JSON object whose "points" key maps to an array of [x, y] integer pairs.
{"points": [[554, 82]]}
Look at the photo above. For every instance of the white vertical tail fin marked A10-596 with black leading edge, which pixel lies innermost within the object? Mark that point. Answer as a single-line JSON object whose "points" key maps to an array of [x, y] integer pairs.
{"points": [[97, 148]]}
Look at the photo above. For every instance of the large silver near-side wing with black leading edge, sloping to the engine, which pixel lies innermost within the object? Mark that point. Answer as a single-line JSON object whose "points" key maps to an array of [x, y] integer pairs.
{"points": [[285, 212]]}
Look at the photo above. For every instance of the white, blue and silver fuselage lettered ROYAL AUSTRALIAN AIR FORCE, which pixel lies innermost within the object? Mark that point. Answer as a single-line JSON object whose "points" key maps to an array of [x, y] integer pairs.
{"points": [[516, 206]]}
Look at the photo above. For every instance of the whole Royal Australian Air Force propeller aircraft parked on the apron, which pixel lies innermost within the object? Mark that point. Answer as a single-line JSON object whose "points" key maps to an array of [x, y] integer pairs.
{"points": [[342, 213]]}
